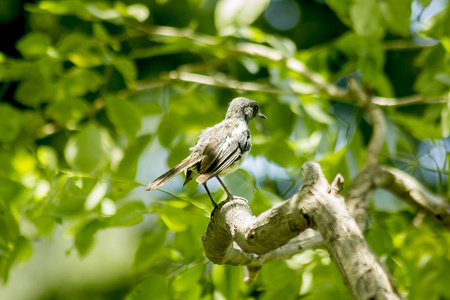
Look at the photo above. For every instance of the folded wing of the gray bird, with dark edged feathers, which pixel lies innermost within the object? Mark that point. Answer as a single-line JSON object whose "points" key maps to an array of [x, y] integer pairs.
{"points": [[219, 154]]}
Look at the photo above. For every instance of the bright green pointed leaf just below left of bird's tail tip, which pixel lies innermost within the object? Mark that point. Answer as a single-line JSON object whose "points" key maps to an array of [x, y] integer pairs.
{"points": [[128, 214]]}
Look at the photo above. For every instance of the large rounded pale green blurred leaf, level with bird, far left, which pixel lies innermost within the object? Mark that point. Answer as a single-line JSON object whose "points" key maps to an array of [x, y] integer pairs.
{"points": [[88, 150]]}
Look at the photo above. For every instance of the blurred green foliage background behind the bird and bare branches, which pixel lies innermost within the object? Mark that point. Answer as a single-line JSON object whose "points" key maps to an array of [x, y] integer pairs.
{"points": [[98, 98]]}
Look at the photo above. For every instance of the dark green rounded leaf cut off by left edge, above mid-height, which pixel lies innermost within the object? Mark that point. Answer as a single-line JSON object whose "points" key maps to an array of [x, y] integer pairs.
{"points": [[9, 123]]}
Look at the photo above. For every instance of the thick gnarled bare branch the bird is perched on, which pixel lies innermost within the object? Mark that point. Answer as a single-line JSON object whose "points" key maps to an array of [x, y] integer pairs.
{"points": [[234, 230]]}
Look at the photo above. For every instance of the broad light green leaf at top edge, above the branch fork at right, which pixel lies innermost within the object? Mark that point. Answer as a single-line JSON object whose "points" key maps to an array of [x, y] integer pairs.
{"points": [[367, 18]]}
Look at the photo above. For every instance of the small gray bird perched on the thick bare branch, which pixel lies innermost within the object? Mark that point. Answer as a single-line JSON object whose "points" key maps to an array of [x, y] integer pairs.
{"points": [[220, 149]]}
